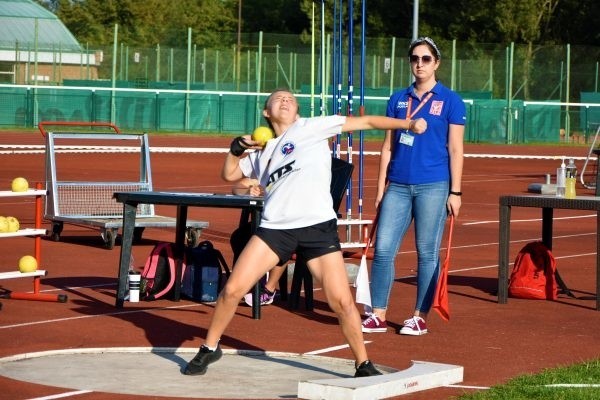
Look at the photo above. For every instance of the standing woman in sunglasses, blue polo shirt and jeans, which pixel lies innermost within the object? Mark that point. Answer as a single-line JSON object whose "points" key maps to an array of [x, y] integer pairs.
{"points": [[420, 180]]}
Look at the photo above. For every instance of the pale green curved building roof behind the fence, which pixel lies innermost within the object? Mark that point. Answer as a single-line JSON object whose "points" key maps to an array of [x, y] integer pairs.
{"points": [[18, 28]]}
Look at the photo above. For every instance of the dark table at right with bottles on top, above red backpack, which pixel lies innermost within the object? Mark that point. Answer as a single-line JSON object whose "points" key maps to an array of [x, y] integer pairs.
{"points": [[547, 203]]}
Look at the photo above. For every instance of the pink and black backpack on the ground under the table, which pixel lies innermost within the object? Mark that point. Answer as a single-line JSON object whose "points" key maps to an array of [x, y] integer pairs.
{"points": [[158, 275]]}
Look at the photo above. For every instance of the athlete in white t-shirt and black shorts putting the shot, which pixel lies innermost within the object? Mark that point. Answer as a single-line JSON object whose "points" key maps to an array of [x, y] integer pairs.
{"points": [[294, 168]]}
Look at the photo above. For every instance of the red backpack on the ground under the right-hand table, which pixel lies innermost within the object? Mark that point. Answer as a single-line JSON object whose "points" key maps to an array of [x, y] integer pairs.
{"points": [[533, 275]]}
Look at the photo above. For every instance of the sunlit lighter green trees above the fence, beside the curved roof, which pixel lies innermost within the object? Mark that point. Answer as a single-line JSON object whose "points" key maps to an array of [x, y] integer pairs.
{"points": [[147, 22]]}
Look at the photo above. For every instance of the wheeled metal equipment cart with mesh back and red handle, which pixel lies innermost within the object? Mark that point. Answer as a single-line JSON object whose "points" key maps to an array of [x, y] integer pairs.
{"points": [[73, 199]]}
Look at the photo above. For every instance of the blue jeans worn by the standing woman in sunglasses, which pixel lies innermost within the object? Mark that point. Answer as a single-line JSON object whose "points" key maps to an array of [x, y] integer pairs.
{"points": [[426, 204]]}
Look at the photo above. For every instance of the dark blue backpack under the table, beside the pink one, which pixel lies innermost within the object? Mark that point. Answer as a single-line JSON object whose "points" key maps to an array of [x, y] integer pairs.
{"points": [[206, 273]]}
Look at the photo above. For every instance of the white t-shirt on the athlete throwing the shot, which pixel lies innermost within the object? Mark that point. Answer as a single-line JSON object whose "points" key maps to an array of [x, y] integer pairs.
{"points": [[295, 170]]}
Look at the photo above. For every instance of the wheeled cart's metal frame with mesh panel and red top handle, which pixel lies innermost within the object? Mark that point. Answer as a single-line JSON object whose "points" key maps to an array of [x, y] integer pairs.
{"points": [[91, 204]]}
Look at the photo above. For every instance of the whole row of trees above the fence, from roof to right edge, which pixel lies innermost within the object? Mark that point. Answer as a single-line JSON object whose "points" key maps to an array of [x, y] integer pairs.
{"points": [[148, 22]]}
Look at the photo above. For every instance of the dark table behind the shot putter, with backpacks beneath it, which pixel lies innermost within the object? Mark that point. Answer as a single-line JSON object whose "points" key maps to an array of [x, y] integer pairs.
{"points": [[182, 201]]}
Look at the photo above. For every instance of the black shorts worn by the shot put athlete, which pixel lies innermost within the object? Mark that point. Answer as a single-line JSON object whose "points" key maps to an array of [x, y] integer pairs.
{"points": [[309, 242]]}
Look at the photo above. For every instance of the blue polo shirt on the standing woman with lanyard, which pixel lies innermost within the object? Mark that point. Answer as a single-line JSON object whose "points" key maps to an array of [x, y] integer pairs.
{"points": [[427, 159]]}
